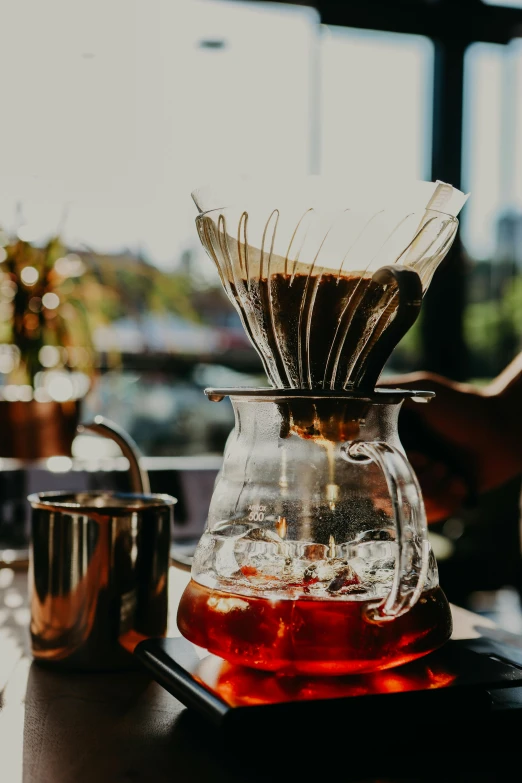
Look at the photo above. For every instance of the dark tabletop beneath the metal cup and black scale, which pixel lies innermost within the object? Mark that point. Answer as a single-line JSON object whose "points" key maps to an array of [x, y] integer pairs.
{"points": [[110, 728]]}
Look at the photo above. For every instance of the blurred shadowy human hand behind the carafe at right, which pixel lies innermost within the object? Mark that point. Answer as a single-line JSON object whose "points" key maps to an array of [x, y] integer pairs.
{"points": [[460, 444]]}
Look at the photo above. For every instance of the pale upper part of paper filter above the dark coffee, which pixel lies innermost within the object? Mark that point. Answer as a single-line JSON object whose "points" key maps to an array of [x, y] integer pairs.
{"points": [[269, 227]]}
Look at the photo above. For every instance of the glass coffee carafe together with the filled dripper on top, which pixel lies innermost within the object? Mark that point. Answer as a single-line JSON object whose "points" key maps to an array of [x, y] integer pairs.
{"points": [[315, 558]]}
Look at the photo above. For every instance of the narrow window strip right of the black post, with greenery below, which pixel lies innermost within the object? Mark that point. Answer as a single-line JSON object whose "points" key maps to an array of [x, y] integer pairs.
{"points": [[492, 220]]}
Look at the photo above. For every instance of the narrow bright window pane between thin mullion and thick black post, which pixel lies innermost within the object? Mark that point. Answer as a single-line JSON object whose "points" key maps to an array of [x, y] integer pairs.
{"points": [[376, 103]]}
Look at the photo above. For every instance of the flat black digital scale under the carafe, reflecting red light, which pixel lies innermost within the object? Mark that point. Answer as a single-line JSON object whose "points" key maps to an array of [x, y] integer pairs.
{"points": [[464, 679]]}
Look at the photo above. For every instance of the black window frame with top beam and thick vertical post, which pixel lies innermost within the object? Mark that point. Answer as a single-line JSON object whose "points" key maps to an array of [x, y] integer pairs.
{"points": [[452, 26]]}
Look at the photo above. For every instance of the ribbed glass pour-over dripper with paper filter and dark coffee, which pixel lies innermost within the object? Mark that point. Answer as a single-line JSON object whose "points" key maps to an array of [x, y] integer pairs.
{"points": [[299, 260]]}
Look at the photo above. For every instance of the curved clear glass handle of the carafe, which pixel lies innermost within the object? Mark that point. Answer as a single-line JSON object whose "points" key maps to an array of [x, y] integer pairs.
{"points": [[413, 548]]}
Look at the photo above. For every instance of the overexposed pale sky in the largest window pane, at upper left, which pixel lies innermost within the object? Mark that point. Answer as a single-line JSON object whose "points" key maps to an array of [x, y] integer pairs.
{"points": [[120, 109]]}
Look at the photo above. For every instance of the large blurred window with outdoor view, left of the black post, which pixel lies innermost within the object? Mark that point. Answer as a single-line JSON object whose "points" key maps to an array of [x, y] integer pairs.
{"points": [[117, 111]]}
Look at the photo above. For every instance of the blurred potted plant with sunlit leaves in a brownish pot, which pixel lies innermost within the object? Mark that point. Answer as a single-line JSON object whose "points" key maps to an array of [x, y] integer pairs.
{"points": [[47, 356]]}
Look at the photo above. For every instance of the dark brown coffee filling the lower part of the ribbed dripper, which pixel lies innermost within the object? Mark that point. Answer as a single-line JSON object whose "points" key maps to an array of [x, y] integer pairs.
{"points": [[316, 330]]}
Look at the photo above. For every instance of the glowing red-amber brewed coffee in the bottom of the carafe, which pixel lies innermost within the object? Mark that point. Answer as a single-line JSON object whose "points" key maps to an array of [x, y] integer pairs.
{"points": [[310, 636]]}
